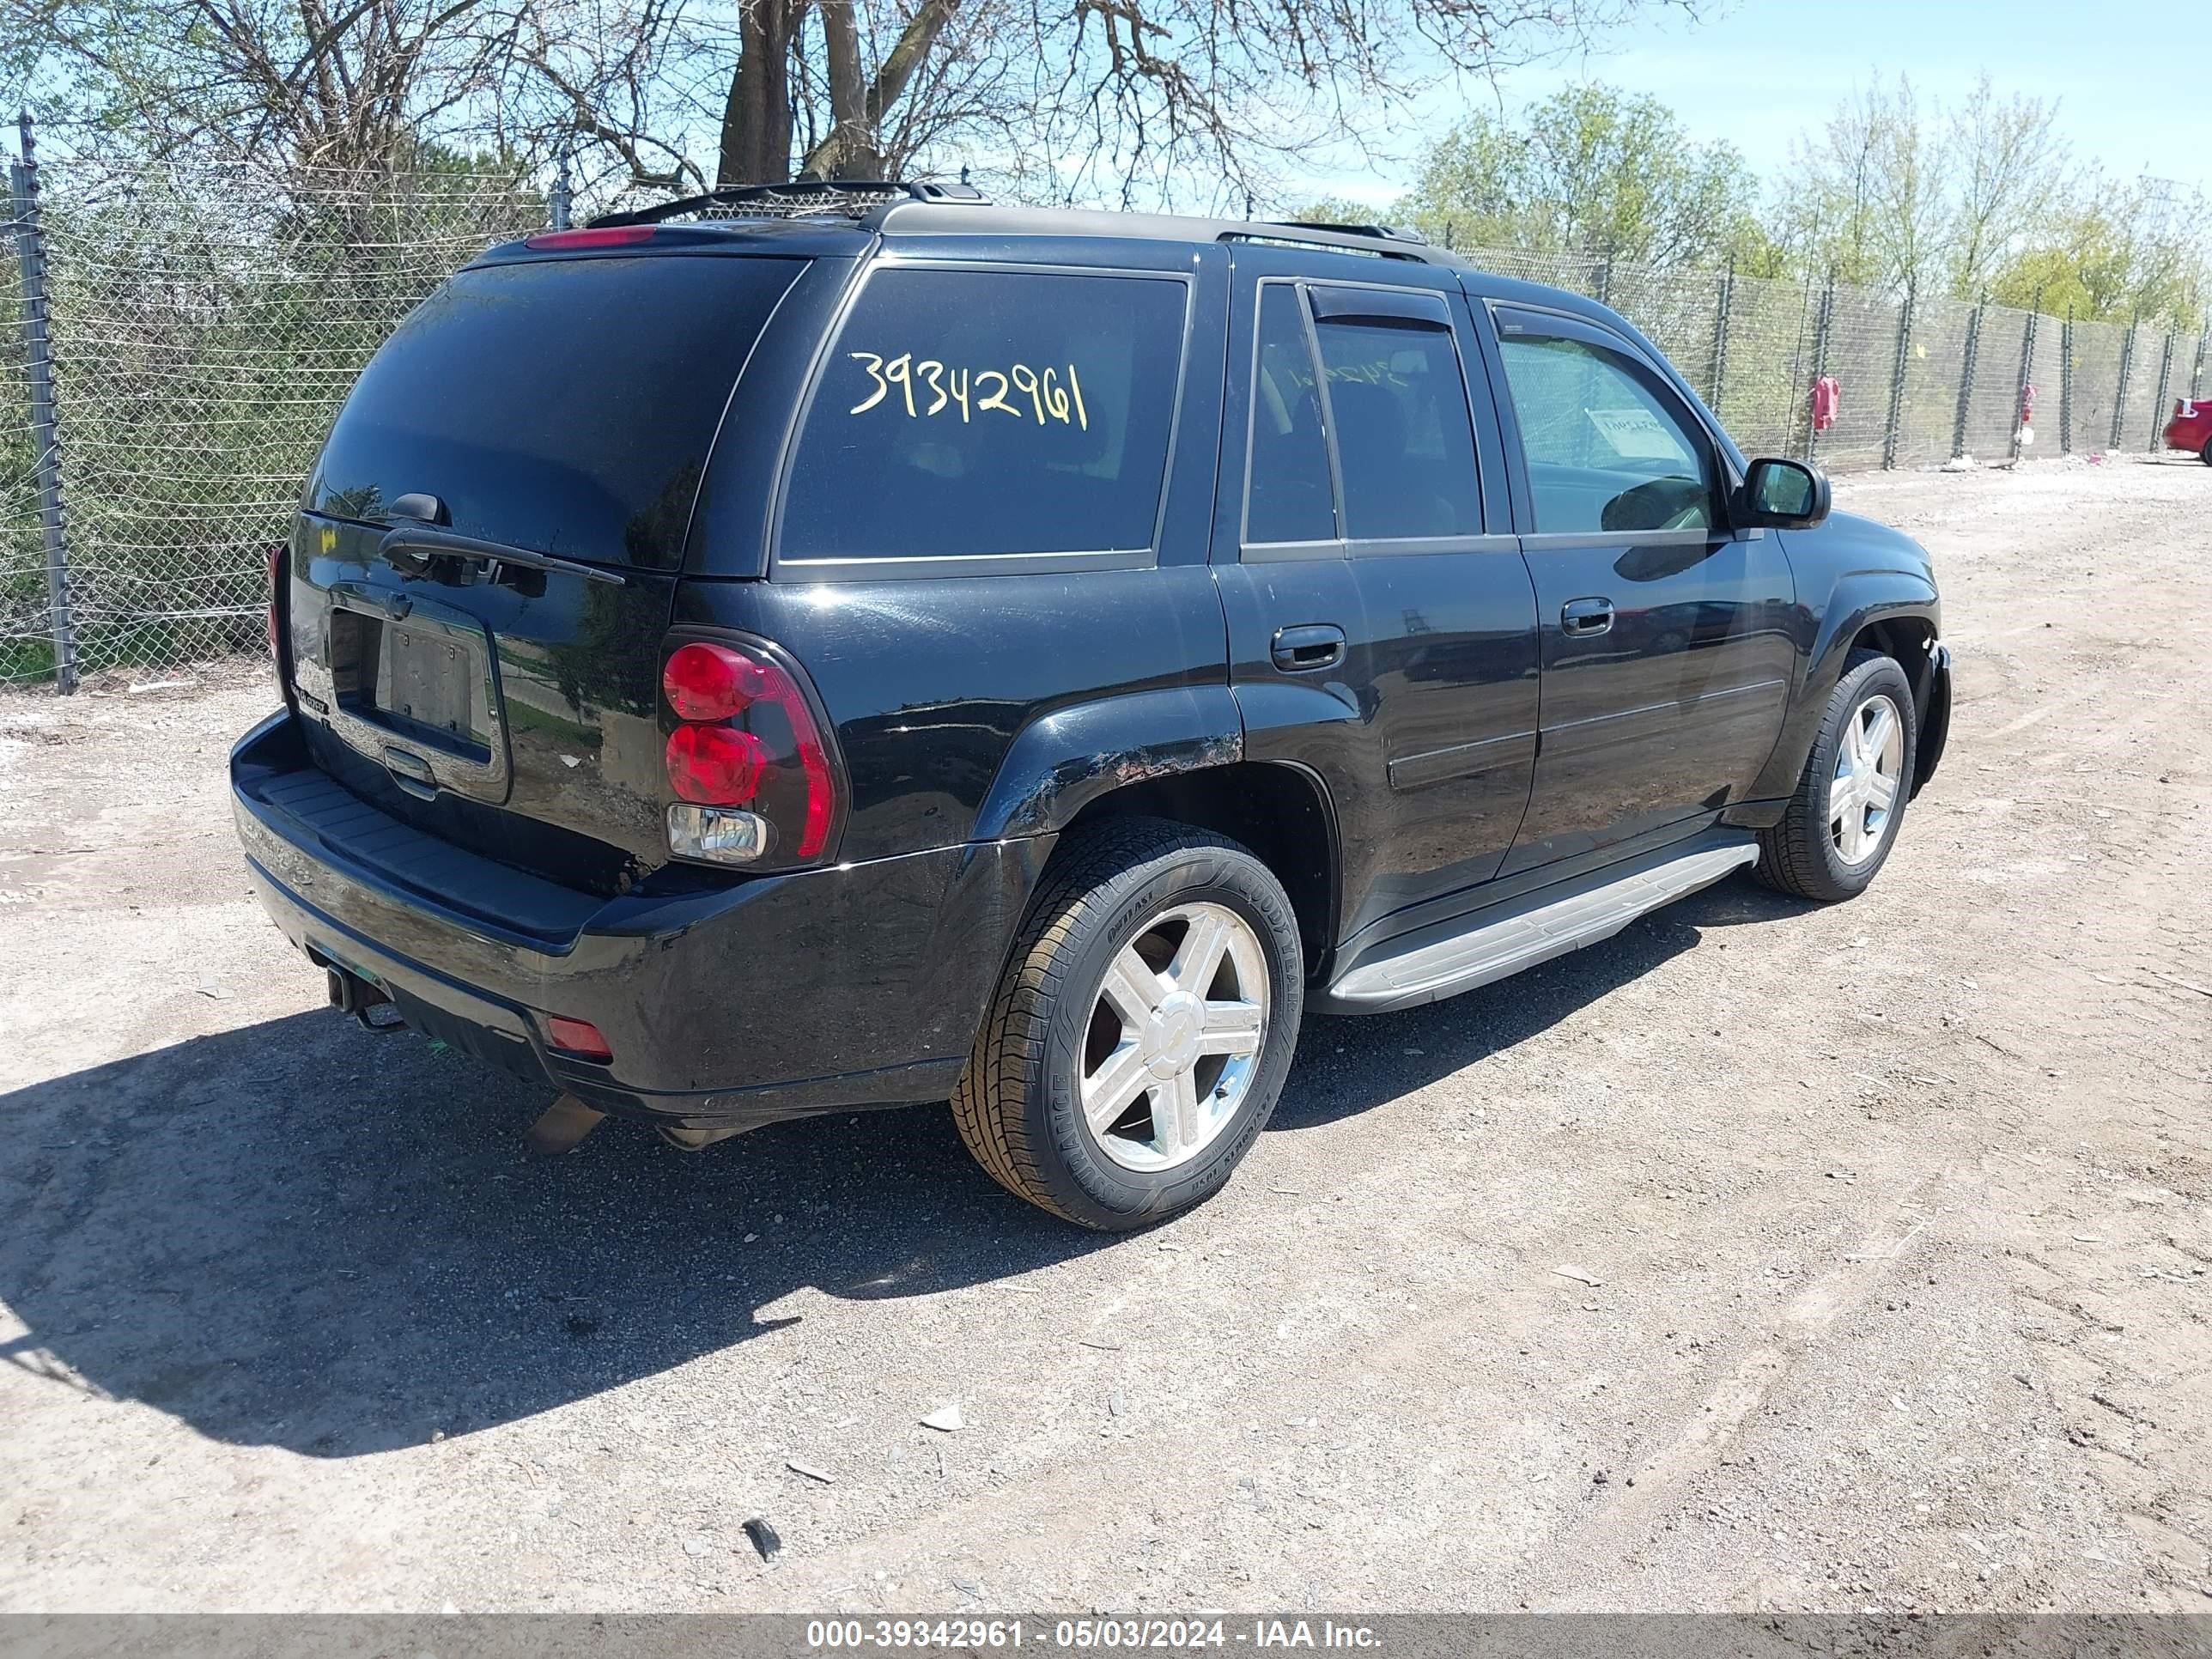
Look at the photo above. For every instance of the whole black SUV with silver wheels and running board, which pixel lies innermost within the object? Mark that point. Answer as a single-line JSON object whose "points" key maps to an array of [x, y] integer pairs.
{"points": [[917, 649]]}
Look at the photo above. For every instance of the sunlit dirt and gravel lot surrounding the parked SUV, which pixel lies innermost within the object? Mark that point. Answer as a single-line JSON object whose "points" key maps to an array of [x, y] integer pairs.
{"points": [[1899, 1215]]}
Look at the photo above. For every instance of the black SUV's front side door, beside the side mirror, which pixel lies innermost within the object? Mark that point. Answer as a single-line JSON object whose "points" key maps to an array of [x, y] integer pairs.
{"points": [[1667, 647]]}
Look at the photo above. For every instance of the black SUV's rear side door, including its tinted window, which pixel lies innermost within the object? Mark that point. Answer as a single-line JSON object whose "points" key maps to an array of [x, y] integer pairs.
{"points": [[1381, 623]]}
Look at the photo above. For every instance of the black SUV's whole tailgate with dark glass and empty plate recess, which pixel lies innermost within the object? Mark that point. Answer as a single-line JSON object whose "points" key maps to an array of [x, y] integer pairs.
{"points": [[490, 547]]}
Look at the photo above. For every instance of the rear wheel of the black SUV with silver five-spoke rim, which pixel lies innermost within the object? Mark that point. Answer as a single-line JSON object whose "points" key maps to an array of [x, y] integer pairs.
{"points": [[1056, 1027]]}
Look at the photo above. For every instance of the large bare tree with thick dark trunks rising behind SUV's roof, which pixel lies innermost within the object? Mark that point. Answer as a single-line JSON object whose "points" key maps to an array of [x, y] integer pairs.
{"points": [[1098, 98]]}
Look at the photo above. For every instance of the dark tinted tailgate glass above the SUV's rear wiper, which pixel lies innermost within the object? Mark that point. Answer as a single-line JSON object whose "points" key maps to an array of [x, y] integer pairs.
{"points": [[563, 406]]}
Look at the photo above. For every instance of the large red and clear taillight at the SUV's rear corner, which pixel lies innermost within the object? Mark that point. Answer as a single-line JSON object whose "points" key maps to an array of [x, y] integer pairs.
{"points": [[747, 758]]}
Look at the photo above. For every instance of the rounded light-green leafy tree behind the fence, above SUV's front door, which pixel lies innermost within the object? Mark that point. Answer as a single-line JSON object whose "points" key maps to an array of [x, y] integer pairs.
{"points": [[1592, 171]]}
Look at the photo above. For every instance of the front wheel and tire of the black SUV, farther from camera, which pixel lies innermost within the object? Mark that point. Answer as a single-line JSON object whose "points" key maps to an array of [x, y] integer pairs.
{"points": [[1811, 853]]}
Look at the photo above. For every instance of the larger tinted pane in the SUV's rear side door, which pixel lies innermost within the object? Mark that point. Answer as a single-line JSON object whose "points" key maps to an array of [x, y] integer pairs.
{"points": [[1404, 439]]}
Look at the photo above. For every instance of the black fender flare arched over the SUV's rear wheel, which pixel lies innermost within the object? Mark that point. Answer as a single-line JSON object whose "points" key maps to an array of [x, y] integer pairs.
{"points": [[1067, 760]]}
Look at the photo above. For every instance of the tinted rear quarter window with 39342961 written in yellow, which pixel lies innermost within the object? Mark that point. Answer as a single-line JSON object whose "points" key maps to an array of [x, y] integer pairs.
{"points": [[990, 413]]}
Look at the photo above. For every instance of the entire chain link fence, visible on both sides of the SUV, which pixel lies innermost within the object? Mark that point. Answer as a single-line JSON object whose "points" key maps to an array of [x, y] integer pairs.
{"points": [[200, 326]]}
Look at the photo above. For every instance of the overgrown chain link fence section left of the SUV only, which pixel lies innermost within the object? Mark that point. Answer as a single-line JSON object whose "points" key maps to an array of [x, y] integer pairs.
{"points": [[200, 331]]}
